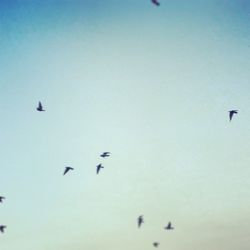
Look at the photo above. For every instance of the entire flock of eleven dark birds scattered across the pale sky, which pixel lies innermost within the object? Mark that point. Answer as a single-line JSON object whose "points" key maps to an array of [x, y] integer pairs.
{"points": [[140, 219]]}
